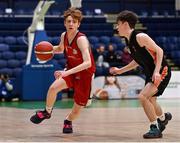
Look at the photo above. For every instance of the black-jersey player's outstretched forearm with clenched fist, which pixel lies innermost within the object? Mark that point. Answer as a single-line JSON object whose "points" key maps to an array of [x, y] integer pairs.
{"points": [[130, 66]]}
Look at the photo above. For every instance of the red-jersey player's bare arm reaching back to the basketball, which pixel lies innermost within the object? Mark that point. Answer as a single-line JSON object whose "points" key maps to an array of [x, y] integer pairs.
{"points": [[59, 48]]}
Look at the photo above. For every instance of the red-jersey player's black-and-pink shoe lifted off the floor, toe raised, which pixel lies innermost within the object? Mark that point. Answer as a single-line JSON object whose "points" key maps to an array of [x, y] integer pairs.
{"points": [[40, 116]]}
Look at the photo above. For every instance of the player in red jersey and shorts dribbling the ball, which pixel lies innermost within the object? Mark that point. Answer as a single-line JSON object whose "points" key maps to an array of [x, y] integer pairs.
{"points": [[79, 73]]}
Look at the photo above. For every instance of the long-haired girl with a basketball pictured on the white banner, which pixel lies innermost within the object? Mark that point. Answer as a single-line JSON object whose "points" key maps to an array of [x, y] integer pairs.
{"points": [[111, 89]]}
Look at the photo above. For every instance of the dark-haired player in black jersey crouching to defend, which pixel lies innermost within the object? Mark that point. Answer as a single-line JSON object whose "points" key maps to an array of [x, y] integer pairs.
{"points": [[147, 54]]}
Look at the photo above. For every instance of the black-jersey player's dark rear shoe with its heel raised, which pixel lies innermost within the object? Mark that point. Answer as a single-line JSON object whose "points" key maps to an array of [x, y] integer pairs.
{"points": [[162, 124]]}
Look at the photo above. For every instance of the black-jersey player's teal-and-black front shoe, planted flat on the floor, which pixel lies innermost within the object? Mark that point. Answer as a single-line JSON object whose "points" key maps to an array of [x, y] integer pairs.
{"points": [[154, 132]]}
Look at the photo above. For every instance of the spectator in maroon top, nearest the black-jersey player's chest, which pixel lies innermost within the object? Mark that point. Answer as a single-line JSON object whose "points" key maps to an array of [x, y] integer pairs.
{"points": [[126, 58]]}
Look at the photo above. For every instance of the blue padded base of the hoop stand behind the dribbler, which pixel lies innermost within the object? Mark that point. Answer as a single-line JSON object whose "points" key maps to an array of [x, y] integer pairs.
{"points": [[36, 77]]}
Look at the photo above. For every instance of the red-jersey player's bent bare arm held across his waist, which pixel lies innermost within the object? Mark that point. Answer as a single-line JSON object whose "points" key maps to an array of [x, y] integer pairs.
{"points": [[83, 45]]}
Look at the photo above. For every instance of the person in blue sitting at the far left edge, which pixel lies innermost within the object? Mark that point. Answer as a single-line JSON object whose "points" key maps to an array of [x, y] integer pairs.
{"points": [[6, 87]]}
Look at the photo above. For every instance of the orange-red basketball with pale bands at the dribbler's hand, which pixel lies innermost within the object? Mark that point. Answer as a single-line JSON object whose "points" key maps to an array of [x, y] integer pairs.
{"points": [[44, 51]]}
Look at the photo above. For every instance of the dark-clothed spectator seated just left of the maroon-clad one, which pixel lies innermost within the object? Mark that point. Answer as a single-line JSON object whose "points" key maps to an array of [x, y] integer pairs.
{"points": [[112, 57]]}
